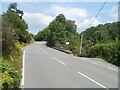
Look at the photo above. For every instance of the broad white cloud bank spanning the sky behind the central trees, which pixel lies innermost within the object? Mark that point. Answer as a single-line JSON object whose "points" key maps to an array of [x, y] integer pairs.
{"points": [[38, 21]]}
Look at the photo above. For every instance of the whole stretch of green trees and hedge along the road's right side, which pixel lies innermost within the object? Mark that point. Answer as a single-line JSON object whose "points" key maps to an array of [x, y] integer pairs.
{"points": [[100, 41]]}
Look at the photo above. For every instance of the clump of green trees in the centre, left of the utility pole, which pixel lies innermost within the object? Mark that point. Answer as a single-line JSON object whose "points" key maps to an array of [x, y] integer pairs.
{"points": [[58, 31]]}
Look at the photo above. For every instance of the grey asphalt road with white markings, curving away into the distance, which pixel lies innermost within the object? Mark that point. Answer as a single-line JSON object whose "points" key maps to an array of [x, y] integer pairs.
{"points": [[45, 67]]}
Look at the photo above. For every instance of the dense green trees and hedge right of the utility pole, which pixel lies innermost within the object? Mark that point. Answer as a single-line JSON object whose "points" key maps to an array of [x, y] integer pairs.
{"points": [[102, 41]]}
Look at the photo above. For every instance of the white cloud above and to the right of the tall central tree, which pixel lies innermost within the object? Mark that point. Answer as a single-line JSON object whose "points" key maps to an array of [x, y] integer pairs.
{"points": [[78, 14]]}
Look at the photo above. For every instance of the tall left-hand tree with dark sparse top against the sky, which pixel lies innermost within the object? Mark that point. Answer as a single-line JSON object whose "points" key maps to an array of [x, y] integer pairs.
{"points": [[14, 16]]}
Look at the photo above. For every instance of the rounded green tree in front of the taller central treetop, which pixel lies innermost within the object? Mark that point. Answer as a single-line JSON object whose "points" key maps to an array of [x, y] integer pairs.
{"points": [[57, 33]]}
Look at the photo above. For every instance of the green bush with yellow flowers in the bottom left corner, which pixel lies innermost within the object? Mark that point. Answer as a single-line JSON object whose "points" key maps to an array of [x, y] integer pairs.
{"points": [[10, 76]]}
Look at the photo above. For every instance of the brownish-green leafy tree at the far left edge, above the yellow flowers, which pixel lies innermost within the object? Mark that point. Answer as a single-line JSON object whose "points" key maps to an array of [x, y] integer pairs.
{"points": [[8, 37]]}
